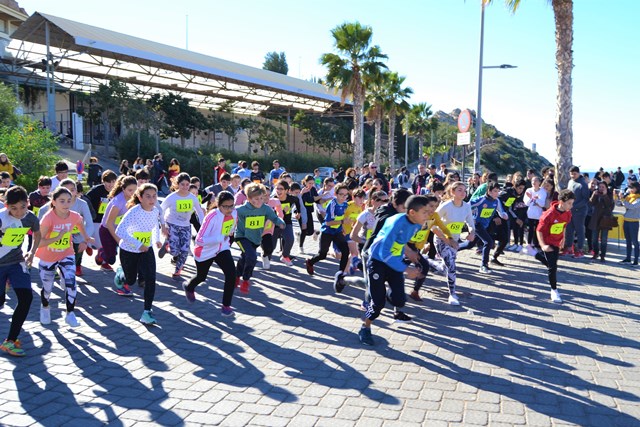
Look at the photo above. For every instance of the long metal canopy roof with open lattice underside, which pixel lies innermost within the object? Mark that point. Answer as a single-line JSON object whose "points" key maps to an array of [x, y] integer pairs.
{"points": [[84, 56]]}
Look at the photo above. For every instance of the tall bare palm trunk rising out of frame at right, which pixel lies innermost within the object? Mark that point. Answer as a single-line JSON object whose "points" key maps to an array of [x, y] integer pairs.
{"points": [[563, 12]]}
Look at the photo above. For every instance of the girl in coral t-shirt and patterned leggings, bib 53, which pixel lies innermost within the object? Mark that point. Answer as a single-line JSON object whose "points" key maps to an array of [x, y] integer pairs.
{"points": [[55, 252]]}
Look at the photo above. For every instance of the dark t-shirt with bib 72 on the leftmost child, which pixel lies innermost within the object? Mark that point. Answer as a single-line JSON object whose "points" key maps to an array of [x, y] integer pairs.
{"points": [[12, 234]]}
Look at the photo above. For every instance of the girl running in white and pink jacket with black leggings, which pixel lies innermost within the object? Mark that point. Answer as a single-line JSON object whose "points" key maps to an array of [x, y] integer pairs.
{"points": [[213, 245]]}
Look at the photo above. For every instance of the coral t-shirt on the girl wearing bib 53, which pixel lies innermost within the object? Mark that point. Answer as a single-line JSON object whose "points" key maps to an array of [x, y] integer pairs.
{"points": [[56, 226]]}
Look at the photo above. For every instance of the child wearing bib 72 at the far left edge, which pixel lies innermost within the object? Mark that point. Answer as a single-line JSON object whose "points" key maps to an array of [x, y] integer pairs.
{"points": [[15, 222]]}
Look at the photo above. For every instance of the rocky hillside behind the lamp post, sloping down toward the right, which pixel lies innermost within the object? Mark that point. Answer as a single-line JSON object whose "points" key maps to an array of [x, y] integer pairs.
{"points": [[499, 152]]}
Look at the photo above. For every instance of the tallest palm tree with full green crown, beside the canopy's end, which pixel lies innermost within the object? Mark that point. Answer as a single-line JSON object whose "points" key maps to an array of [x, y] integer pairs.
{"points": [[348, 70]]}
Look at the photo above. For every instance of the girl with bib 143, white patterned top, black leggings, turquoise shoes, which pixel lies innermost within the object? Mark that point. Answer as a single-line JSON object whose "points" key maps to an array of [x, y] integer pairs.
{"points": [[138, 232]]}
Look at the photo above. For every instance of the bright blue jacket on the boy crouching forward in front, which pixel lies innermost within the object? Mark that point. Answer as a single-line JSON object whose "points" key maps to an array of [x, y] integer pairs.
{"points": [[388, 246]]}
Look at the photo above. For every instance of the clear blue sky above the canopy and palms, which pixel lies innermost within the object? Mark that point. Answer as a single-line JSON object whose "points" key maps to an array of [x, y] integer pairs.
{"points": [[435, 44]]}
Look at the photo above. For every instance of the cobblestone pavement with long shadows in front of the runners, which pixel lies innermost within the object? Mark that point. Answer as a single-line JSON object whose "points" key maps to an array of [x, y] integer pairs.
{"points": [[291, 356]]}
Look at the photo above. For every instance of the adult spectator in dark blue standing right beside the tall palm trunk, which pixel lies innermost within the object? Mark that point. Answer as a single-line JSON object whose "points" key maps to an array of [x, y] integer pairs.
{"points": [[580, 188]]}
